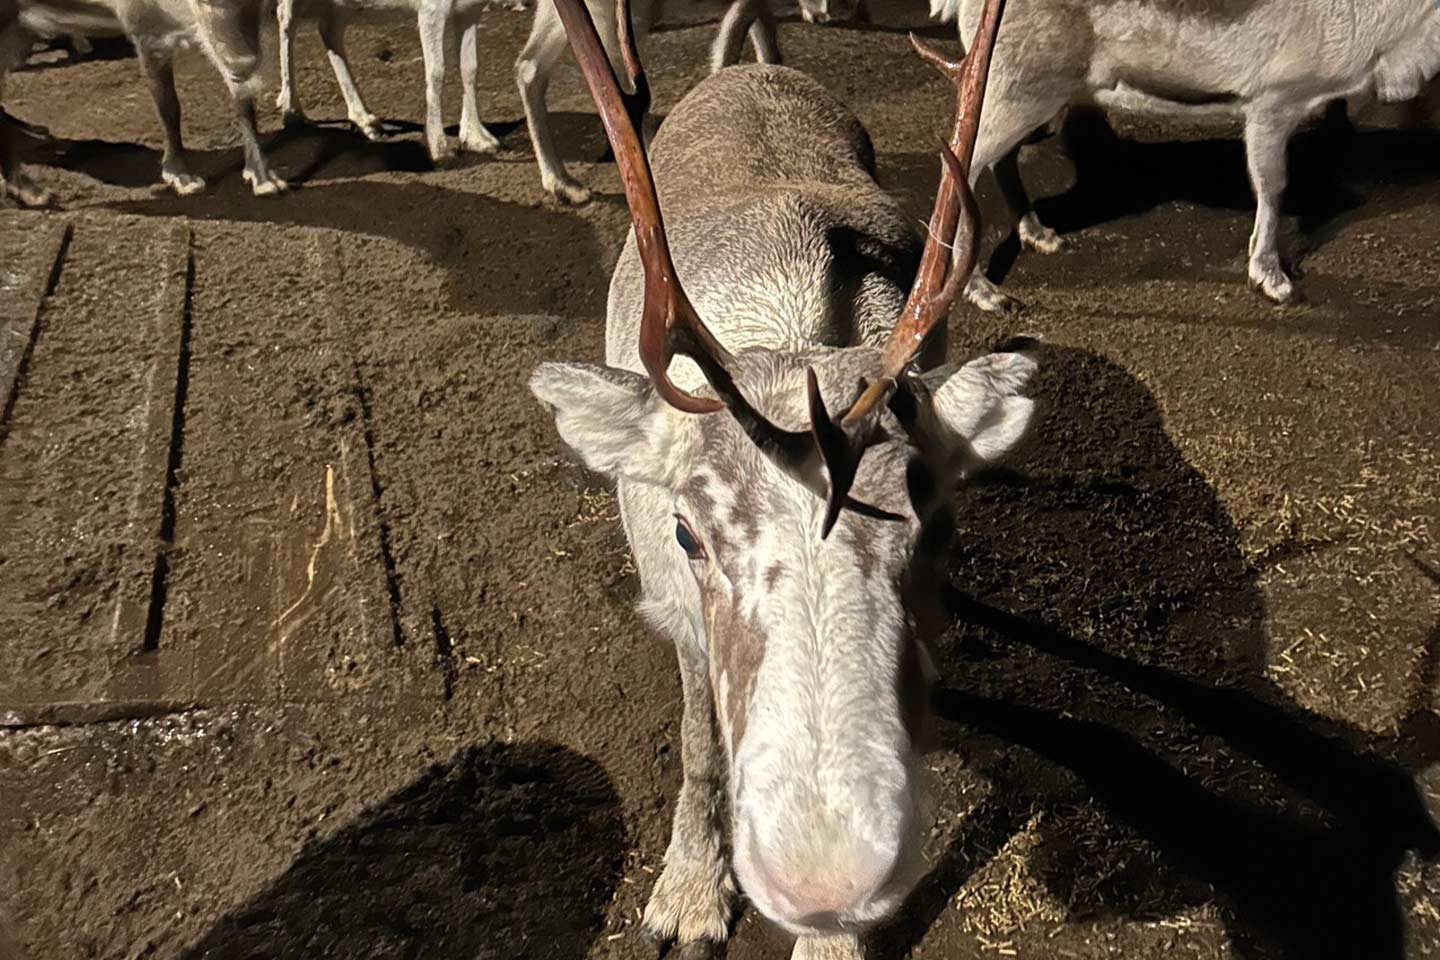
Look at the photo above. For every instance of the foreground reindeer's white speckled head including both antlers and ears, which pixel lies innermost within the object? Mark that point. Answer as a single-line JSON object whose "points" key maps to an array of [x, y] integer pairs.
{"points": [[803, 543]]}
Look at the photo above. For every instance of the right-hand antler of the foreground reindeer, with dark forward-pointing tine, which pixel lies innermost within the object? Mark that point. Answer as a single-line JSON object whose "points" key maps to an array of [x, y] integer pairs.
{"points": [[954, 227]]}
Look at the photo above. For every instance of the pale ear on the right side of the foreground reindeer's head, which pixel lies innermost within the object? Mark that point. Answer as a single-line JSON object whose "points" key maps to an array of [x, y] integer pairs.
{"points": [[981, 402]]}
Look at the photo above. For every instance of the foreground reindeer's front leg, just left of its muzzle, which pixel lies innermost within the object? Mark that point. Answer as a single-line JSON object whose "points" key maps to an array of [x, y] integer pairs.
{"points": [[695, 897]]}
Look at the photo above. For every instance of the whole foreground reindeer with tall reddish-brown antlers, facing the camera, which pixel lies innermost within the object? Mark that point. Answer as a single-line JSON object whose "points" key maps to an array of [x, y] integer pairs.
{"points": [[790, 555]]}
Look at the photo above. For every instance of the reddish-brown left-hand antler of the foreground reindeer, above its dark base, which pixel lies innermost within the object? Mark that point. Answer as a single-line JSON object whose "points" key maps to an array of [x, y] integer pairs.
{"points": [[670, 323]]}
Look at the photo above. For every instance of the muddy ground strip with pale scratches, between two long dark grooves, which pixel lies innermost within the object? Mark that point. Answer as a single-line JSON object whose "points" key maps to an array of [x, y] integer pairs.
{"points": [[282, 549]]}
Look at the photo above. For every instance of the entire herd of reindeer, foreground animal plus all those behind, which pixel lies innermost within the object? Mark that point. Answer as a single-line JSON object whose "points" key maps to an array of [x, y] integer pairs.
{"points": [[784, 443]]}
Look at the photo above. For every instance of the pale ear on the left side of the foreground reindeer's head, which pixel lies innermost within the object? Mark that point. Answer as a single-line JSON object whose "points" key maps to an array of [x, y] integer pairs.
{"points": [[614, 421]]}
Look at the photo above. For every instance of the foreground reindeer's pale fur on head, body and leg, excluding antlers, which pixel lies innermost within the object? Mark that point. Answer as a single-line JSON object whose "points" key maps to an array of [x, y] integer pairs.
{"points": [[804, 638]]}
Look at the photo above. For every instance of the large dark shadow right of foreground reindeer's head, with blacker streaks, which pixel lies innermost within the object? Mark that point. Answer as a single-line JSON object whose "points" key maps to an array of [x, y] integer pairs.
{"points": [[1120, 692]]}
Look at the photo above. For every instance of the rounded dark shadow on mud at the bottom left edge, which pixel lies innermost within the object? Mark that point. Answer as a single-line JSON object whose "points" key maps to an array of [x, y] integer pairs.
{"points": [[505, 853]]}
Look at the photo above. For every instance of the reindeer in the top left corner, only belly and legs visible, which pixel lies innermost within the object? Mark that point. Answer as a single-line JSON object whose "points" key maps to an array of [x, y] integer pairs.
{"points": [[230, 34]]}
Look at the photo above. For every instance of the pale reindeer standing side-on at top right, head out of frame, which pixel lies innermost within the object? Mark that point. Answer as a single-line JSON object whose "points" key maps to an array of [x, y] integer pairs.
{"points": [[1269, 64]]}
